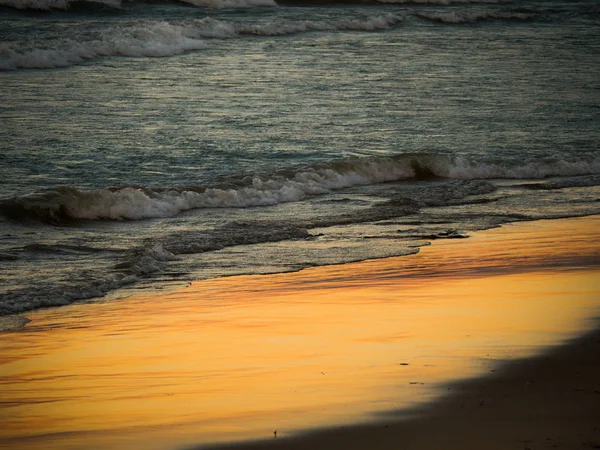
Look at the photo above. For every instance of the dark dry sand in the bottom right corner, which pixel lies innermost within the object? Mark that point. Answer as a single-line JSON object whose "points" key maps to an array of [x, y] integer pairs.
{"points": [[548, 402]]}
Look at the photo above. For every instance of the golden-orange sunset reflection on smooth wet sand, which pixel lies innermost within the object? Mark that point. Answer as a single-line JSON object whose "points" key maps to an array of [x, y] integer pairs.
{"points": [[240, 357]]}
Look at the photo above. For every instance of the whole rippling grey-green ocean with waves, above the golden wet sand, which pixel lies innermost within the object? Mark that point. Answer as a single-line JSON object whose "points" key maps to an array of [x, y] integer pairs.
{"points": [[145, 145]]}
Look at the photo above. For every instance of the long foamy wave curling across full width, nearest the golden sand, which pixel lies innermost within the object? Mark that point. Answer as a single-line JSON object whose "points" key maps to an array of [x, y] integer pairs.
{"points": [[67, 203]]}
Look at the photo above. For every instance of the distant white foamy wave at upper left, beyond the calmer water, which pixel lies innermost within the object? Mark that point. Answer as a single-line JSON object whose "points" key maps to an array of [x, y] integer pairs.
{"points": [[160, 39]]}
